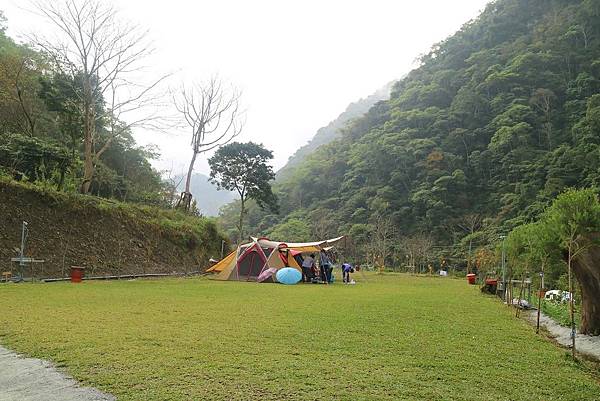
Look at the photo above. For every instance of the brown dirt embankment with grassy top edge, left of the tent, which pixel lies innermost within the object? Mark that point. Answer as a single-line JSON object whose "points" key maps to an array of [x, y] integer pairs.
{"points": [[106, 238]]}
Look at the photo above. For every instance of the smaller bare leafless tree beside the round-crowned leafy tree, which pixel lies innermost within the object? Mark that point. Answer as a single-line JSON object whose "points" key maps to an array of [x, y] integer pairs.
{"points": [[213, 114]]}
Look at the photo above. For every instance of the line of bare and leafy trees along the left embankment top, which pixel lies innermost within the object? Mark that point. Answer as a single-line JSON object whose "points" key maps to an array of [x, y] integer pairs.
{"points": [[69, 104]]}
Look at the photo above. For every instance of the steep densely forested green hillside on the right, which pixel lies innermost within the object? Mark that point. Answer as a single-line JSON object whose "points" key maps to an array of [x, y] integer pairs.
{"points": [[497, 120]]}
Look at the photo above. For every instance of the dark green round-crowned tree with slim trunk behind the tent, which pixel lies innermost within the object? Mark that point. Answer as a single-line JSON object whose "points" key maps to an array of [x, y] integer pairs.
{"points": [[242, 167]]}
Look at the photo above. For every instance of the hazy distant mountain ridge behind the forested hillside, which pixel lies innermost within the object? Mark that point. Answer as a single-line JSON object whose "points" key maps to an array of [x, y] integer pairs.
{"points": [[333, 130]]}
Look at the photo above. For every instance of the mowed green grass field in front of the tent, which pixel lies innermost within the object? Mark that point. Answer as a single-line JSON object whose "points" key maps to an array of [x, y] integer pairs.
{"points": [[390, 337]]}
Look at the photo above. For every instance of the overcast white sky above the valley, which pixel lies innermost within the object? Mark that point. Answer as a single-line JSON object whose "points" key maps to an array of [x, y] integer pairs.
{"points": [[299, 63]]}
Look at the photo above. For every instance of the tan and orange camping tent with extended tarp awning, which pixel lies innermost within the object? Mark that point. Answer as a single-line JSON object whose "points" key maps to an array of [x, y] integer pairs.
{"points": [[249, 260]]}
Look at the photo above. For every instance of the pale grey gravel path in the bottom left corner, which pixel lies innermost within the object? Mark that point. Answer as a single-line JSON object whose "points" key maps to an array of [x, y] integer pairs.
{"points": [[29, 379]]}
